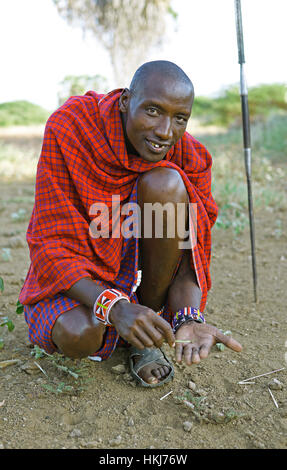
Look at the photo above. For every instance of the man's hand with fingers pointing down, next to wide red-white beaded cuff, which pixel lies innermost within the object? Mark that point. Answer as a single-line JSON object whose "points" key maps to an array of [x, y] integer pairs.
{"points": [[140, 325]]}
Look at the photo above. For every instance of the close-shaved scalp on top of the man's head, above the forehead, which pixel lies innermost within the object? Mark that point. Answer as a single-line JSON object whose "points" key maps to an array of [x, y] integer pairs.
{"points": [[162, 68]]}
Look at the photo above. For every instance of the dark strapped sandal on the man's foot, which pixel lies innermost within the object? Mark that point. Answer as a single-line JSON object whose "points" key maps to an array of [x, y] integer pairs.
{"points": [[148, 356]]}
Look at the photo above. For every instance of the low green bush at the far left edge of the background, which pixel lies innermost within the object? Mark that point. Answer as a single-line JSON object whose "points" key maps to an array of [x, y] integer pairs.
{"points": [[21, 113]]}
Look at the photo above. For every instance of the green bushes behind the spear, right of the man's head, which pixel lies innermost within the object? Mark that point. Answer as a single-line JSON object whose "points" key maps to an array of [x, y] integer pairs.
{"points": [[225, 109]]}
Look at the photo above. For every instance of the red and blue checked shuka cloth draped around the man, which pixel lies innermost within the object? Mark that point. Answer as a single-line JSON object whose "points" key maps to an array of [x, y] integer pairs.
{"points": [[84, 160]]}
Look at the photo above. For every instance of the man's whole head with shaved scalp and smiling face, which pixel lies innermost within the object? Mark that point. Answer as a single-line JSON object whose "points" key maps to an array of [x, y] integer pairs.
{"points": [[156, 108]]}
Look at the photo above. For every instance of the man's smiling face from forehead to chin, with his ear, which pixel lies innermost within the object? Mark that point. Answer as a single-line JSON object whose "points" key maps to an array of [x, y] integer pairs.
{"points": [[155, 117]]}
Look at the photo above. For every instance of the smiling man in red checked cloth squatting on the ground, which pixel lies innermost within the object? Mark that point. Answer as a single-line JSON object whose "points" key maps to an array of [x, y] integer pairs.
{"points": [[80, 293]]}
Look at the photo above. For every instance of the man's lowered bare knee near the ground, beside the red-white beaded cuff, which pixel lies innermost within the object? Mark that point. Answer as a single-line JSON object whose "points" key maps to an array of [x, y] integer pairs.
{"points": [[75, 333]]}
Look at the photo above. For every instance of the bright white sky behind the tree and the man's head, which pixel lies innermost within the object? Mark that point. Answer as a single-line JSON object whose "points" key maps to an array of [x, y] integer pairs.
{"points": [[38, 49]]}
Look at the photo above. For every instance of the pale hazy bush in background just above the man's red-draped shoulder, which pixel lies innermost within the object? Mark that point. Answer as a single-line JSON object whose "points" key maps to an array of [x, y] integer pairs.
{"points": [[75, 85]]}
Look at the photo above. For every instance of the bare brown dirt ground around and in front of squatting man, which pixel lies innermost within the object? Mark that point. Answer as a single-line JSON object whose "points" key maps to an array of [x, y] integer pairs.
{"points": [[56, 403]]}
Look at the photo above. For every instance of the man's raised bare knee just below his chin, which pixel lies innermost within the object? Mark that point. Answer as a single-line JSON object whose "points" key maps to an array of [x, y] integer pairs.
{"points": [[162, 184]]}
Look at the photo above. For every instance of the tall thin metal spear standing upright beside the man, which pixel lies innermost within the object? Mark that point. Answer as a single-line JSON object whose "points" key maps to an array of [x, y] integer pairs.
{"points": [[246, 136]]}
